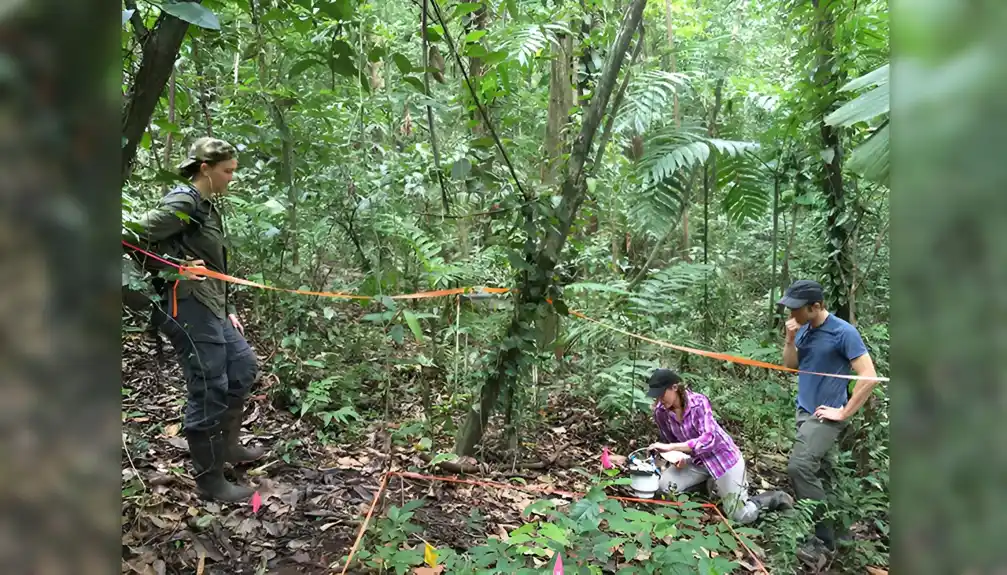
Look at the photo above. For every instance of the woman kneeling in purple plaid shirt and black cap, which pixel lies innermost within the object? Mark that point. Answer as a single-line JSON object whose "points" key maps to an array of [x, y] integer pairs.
{"points": [[686, 423]]}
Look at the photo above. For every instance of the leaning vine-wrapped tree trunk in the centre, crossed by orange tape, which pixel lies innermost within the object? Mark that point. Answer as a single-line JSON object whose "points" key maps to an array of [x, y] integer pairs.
{"points": [[536, 282]]}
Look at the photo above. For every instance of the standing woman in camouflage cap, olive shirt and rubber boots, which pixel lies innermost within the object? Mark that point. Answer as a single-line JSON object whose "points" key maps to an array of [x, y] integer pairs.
{"points": [[196, 315]]}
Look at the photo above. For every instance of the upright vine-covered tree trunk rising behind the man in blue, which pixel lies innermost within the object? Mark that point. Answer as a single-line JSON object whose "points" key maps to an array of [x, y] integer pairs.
{"points": [[839, 267]]}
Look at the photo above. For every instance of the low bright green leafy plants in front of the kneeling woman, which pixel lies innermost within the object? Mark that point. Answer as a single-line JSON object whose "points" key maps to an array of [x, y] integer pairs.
{"points": [[594, 535]]}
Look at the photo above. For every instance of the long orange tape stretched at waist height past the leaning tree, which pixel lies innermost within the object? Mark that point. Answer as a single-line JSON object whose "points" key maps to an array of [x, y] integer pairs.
{"points": [[202, 271]]}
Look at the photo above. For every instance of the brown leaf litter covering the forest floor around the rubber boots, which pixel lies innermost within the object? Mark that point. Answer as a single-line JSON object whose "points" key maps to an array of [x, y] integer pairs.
{"points": [[316, 496]]}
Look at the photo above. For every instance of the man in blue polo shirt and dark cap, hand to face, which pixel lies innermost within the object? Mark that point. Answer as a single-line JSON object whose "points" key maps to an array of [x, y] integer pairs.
{"points": [[821, 343]]}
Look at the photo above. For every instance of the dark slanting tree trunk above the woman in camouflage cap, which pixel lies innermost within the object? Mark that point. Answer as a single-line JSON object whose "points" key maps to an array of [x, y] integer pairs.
{"points": [[161, 49]]}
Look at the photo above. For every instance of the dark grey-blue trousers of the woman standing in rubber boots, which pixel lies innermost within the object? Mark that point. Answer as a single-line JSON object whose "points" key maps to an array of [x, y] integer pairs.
{"points": [[219, 365]]}
